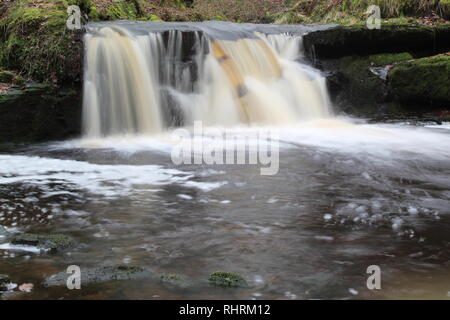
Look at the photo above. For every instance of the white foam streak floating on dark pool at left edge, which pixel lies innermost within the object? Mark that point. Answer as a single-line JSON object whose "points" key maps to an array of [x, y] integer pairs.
{"points": [[106, 180]]}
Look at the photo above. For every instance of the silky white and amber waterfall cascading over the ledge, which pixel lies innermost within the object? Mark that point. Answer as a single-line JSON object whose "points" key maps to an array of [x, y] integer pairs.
{"points": [[142, 79]]}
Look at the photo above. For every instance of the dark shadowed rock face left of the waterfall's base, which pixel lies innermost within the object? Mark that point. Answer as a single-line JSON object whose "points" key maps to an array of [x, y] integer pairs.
{"points": [[39, 112]]}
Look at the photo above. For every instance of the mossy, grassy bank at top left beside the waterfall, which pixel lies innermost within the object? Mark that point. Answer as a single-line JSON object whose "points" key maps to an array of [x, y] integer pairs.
{"points": [[37, 43]]}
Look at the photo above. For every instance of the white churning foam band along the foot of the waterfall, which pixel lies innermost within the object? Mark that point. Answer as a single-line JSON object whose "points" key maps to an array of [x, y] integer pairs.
{"points": [[384, 141]]}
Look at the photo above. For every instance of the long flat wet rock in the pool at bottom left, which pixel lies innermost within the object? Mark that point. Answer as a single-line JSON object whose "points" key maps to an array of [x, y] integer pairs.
{"points": [[99, 275]]}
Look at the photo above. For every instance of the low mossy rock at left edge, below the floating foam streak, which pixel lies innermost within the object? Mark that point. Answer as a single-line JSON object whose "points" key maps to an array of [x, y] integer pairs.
{"points": [[51, 243]]}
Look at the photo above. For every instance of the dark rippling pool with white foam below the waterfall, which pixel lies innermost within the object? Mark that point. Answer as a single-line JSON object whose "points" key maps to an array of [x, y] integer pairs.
{"points": [[346, 196]]}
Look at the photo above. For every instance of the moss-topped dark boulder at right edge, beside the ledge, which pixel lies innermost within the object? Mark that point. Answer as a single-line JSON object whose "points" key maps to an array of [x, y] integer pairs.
{"points": [[423, 81]]}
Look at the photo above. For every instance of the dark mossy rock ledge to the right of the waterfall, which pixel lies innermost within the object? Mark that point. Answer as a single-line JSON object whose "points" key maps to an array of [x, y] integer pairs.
{"points": [[398, 71]]}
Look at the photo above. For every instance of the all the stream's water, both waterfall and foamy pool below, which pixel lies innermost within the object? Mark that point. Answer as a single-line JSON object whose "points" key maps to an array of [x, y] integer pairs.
{"points": [[347, 194]]}
